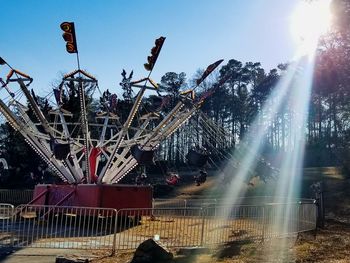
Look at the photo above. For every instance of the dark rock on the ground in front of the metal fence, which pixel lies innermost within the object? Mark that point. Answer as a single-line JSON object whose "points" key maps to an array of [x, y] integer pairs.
{"points": [[151, 251]]}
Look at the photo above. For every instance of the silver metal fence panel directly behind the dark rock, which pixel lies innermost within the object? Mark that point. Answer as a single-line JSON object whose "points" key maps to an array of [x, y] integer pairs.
{"points": [[174, 227]]}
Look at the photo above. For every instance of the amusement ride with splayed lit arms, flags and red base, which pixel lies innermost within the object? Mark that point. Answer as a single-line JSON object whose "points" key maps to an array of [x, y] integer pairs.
{"points": [[92, 155]]}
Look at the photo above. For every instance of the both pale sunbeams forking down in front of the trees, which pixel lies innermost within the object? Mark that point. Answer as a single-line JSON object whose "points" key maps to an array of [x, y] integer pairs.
{"points": [[293, 90]]}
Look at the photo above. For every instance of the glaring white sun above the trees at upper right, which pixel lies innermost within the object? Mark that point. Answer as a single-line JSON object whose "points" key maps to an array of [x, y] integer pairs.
{"points": [[309, 21]]}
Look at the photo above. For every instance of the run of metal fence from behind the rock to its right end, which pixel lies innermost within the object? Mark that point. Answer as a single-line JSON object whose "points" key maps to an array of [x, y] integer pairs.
{"points": [[208, 226]]}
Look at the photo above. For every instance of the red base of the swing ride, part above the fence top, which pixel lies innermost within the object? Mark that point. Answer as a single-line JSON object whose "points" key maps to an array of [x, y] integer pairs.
{"points": [[91, 195]]}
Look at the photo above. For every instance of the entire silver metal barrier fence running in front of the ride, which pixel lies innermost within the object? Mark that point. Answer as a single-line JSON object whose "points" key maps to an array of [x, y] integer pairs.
{"points": [[111, 230]]}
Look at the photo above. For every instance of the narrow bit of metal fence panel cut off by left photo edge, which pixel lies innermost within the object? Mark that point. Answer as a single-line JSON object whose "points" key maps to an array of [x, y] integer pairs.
{"points": [[6, 214]]}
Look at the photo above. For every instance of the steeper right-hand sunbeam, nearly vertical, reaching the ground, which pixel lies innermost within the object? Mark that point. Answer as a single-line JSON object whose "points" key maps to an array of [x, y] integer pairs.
{"points": [[289, 181]]}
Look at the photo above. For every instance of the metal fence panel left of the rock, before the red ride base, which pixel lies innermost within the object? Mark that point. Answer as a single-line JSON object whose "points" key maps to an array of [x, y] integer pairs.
{"points": [[64, 227]]}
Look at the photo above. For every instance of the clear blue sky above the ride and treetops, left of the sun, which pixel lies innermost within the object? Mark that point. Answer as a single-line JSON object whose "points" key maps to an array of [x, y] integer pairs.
{"points": [[117, 34]]}
